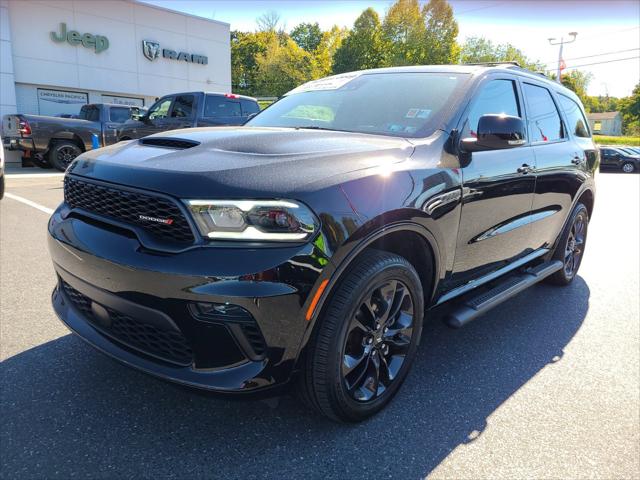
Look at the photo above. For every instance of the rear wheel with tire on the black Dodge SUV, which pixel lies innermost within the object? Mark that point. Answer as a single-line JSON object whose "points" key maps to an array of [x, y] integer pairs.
{"points": [[570, 254]]}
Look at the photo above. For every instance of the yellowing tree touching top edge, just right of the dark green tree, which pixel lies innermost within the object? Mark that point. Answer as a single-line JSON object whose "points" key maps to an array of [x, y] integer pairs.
{"points": [[404, 31]]}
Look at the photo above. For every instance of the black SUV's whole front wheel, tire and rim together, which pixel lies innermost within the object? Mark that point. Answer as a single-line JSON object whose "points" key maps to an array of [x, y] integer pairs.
{"points": [[346, 351]]}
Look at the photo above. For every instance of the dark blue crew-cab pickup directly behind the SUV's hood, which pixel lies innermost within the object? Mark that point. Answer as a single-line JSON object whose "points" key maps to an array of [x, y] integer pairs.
{"points": [[192, 109]]}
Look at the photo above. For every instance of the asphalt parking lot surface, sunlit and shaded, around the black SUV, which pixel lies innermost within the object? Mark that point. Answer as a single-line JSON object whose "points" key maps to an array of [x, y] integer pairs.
{"points": [[545, 386]]}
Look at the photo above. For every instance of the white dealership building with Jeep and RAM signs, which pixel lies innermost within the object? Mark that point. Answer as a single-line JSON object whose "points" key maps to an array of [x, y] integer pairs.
{"points": [[59, 55]]}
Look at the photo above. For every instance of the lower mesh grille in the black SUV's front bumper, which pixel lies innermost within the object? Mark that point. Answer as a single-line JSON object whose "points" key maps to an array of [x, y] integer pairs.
{"points": [[169, 345]]}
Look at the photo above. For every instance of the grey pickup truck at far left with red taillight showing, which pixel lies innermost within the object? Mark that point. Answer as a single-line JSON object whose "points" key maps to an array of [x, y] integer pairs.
{"points": [[56, 141]]}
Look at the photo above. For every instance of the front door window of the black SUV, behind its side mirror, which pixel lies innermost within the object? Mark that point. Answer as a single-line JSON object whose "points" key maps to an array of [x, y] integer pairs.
{"points": [[495, 97]]}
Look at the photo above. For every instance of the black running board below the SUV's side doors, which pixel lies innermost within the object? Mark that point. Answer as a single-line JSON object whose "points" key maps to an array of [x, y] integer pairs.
{"points": [[511, 286]]}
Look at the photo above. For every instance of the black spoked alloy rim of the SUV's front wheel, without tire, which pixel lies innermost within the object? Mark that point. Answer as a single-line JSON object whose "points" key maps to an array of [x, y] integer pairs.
{"points": [[377, 341]]}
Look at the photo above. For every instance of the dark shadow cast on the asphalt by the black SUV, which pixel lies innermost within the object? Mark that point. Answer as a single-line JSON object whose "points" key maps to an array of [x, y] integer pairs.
{"points": [[68, 410]]}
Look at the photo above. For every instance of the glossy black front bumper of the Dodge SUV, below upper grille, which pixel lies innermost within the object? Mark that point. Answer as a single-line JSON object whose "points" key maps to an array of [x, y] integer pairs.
{"points": [[109, 284]]}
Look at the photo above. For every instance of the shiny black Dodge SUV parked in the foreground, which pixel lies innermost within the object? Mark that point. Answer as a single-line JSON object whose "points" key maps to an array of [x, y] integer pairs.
{"points": [[307, 247]]}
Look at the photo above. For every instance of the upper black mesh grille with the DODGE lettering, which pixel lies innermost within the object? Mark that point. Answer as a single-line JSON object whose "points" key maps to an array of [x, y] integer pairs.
{"points": [[132, 208]]}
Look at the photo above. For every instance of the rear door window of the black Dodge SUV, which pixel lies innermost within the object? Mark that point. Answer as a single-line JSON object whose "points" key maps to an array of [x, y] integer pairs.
{"points": [[544, 120]]}
